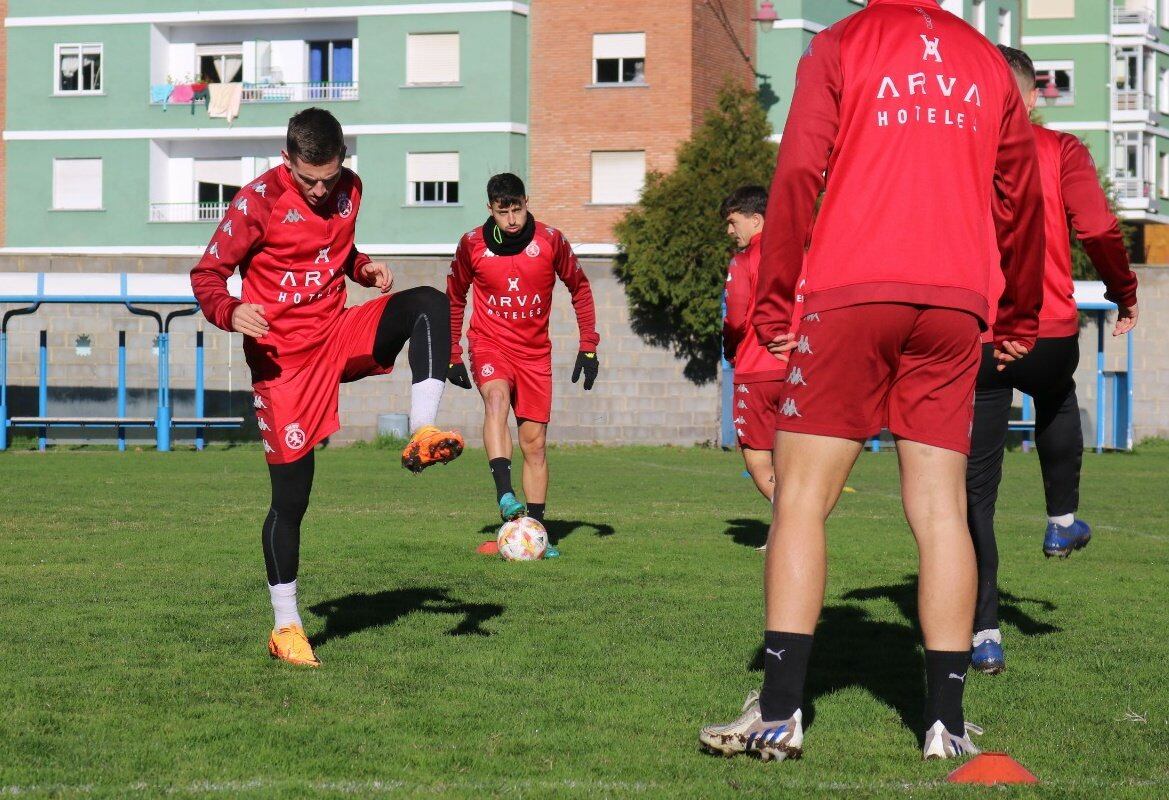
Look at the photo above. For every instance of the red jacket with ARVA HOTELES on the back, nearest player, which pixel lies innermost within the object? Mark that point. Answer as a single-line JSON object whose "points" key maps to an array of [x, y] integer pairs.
{"points": [[910, 121]]}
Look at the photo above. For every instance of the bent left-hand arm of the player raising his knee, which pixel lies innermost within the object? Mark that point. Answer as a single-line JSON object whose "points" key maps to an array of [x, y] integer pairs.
{"points": [[239, 235]]}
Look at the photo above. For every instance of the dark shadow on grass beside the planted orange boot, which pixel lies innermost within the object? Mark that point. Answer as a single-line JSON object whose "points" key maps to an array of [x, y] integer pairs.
{"points": [[359, 612]]}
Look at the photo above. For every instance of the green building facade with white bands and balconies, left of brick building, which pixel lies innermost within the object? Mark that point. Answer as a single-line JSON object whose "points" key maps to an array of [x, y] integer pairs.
{"points": [[112, 143]]}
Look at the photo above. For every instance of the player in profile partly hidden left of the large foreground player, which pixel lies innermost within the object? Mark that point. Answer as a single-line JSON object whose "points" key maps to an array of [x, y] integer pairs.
{"points": [[758, 374]]}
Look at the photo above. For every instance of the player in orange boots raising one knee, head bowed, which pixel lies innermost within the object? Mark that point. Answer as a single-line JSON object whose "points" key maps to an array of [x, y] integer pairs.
{"points": [[290, 235]]}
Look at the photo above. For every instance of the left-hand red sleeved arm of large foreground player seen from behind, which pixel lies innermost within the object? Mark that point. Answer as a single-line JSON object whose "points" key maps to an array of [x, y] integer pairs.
{"points": [[800, 177]]}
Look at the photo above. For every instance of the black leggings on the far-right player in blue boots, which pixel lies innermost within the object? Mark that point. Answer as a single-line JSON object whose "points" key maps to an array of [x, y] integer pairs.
{"points": [[1047, 375]]}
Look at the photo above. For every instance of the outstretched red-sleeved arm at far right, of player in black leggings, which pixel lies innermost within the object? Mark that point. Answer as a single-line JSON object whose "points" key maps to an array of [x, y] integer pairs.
{"points": [[1098, 229]]}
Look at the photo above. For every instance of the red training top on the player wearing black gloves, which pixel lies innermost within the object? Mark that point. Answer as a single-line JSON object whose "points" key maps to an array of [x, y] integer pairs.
{"points": [[514, 294]]}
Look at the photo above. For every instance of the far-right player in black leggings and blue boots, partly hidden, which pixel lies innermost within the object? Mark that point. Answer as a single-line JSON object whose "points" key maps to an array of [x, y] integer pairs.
{"points": [[1073, 195]]}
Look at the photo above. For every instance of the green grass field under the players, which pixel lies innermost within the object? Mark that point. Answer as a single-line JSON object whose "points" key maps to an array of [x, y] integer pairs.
{"points": [[134, 619]]}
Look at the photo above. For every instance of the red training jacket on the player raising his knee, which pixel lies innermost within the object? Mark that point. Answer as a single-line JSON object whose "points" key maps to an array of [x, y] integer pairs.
{"points": [[294, 261]]}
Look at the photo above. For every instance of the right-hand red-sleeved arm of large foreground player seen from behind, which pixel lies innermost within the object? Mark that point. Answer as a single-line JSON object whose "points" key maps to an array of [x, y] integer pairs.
{"points": [[1020, 230]]}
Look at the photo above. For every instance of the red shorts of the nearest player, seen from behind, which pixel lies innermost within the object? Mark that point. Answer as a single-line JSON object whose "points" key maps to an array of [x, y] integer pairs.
{"points": [[884, 365]]}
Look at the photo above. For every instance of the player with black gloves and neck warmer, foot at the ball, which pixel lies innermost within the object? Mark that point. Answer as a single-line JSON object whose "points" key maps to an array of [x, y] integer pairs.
{"points": [[514, 264]]}
